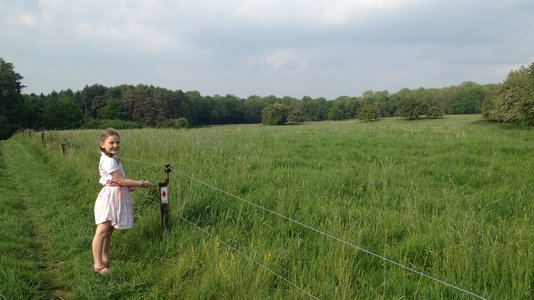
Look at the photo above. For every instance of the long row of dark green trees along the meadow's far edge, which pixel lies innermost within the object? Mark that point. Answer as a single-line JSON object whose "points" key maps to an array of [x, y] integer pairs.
{"points": [[128, 106]]}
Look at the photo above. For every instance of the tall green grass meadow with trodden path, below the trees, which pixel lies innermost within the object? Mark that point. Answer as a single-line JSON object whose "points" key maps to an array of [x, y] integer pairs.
{"points": [[393, 209]]}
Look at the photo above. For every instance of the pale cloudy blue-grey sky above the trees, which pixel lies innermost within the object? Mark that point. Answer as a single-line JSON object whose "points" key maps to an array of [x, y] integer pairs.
{"points": [[296, 48]]}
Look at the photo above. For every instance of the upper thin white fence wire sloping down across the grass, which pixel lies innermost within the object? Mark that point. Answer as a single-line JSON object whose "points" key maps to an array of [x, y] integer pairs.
{"points": [[402, 266]]}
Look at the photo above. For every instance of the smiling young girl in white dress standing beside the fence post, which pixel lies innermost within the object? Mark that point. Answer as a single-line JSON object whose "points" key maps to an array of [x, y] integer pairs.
{"points": [[113, 206]]}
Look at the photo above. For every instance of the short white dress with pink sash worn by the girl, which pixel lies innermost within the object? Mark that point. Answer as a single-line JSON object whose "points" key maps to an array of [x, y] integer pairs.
{"points": [[114, 201]]}
